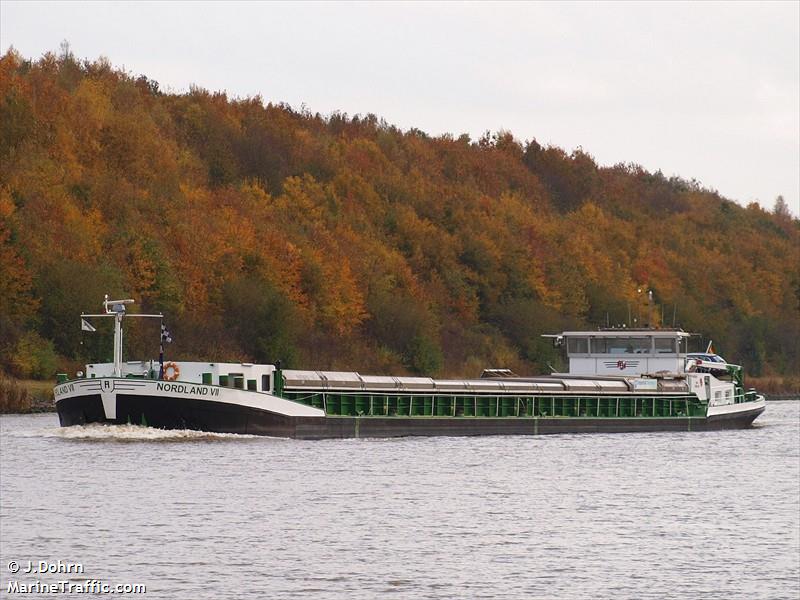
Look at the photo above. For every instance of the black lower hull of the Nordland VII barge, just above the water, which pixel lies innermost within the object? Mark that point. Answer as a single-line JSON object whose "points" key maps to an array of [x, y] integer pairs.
{"points": [[186, 412]]}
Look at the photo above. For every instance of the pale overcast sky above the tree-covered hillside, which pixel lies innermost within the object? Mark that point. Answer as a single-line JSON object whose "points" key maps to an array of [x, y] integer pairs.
{"points": [[709, 91]]}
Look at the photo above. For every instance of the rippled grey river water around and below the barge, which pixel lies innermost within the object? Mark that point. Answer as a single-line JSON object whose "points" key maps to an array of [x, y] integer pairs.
{"points": [[193, 515]]}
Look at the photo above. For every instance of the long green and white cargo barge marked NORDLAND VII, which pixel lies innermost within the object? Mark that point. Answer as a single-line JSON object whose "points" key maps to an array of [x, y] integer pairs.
{"points": [[619, 380]]}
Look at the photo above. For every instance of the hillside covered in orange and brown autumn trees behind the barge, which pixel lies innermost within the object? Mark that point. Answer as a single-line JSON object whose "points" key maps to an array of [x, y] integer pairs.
{"points": [[264, 232]]}
